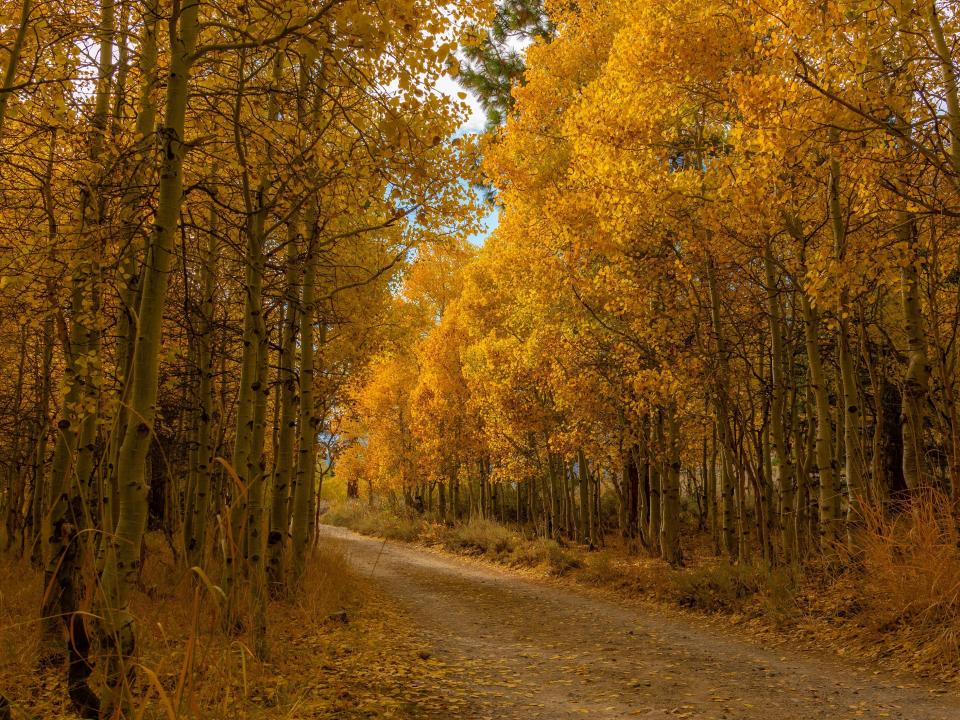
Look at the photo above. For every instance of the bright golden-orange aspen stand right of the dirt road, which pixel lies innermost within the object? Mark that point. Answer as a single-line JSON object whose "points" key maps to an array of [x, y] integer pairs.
{"points": [[724, 284]]}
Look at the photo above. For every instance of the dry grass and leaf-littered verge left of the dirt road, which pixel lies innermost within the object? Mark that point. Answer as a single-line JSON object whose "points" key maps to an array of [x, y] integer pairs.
{"points": [[337, 650]]}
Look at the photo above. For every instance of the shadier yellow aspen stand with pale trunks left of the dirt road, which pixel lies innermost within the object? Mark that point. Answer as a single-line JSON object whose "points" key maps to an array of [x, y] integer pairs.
{"points": [[205, 207]]}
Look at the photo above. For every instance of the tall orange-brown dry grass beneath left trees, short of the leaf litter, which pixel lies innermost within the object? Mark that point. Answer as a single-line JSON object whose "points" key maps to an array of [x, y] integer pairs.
{"points": [[186, 666]]}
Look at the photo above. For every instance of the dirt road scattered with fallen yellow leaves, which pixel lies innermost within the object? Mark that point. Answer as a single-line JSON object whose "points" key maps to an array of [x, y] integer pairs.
{"points": [[531, 650]]}
